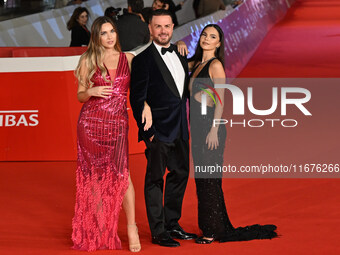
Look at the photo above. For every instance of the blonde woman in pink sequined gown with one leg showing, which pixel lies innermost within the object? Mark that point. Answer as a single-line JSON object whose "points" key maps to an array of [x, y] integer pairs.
{"points": [[103, 181]]}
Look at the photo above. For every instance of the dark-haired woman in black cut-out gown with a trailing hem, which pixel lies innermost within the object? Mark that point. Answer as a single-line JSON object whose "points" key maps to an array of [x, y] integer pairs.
{"points": [[208, 143]]}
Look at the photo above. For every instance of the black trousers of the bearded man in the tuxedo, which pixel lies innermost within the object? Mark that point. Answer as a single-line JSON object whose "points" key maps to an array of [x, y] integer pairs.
{"points": [[175, 157]]}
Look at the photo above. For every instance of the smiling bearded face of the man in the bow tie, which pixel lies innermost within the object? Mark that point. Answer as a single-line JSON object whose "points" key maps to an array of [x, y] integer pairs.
{"points": [[161, 29]]}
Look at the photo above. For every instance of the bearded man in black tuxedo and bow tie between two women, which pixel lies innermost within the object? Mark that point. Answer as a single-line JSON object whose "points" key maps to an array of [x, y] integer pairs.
{"points": [[159, 77]]}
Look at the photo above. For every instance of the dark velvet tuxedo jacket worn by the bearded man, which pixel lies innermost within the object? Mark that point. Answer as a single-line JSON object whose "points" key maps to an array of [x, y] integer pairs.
{"points": [[151, 81]]}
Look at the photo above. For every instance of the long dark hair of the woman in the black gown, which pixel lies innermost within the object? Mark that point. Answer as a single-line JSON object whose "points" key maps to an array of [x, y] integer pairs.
{"points": [[219, 53]]}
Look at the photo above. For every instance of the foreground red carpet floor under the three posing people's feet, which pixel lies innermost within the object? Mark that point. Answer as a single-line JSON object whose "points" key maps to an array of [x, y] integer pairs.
{"points": [[37, 202]]}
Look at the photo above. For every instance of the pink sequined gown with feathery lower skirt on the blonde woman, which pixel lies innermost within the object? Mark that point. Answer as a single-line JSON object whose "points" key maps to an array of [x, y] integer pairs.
{"points": [[102, 170]]}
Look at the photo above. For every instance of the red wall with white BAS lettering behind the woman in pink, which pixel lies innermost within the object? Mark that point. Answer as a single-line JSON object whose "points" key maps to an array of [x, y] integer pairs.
{"points": [[50, 133]]}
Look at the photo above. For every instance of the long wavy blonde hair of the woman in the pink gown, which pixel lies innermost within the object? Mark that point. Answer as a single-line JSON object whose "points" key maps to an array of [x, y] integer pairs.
{"points": [[94, 55]]}
